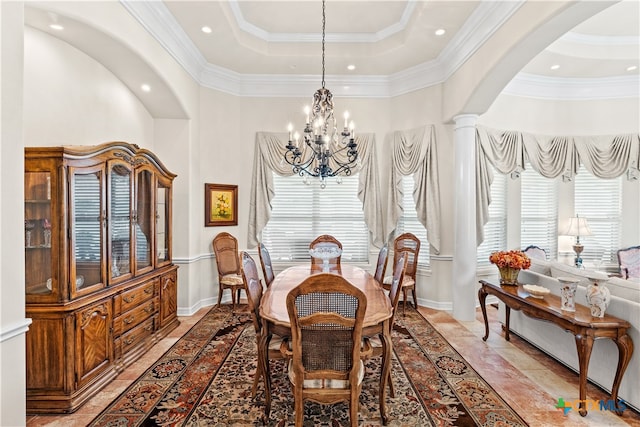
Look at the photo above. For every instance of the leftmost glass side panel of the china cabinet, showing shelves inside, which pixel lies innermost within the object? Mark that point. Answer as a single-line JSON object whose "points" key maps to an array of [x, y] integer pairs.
{"points": [[37, 233]]}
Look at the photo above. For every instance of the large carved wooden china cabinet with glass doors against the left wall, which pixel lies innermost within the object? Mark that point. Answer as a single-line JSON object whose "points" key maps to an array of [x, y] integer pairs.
{"points": [[101, 287]]}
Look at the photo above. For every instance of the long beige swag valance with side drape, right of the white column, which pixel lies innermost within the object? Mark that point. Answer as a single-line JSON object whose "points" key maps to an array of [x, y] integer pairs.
{"points": [[550, 156]]}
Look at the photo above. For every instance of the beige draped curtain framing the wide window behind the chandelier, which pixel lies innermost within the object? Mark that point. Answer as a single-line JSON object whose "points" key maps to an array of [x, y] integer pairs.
{"points": [[268, 158]]}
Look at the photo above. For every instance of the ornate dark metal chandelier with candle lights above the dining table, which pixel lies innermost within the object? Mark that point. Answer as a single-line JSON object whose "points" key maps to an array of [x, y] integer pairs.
{"points": [[333, 152]]}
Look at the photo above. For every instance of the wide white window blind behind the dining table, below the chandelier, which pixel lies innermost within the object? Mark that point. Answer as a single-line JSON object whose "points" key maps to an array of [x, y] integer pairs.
{"points": [[300, 213]]}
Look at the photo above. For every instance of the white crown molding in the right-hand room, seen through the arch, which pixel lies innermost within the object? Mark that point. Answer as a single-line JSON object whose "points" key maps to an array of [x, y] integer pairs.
{"points": [[559, 88]]}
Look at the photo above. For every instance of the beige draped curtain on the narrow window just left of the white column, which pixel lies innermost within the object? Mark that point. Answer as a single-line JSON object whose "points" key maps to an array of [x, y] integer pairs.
{"points": [[414, 153]]}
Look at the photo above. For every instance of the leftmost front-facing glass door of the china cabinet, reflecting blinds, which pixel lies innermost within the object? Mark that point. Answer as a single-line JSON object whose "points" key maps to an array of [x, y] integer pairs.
{"points": [[88, 218]]}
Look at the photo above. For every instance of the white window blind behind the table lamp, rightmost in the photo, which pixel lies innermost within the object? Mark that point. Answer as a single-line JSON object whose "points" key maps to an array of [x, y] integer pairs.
{"points": [[600, 202]]}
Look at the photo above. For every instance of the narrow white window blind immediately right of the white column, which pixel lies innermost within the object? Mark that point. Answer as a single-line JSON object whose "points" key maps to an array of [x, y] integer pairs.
{"points": [[495, 230]]}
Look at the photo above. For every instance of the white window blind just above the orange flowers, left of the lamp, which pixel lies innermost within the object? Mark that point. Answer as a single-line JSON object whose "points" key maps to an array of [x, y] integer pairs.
{"points": [[539, 212]]}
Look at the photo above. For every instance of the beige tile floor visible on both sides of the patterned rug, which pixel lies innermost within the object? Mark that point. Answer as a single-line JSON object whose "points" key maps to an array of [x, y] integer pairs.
{"points": [[527, 379]]}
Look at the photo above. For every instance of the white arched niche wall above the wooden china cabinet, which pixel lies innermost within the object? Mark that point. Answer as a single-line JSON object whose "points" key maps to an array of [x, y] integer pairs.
{"points": [[70, 99]]}
